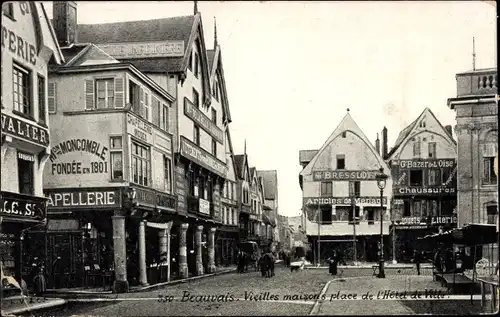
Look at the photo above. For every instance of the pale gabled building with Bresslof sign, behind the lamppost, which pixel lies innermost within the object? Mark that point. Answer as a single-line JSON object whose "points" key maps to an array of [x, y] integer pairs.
{"points": [[341, 198]]}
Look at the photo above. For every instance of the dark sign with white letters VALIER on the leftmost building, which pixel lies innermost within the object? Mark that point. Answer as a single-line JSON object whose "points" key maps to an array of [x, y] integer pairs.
{"points": [[24, 130]]}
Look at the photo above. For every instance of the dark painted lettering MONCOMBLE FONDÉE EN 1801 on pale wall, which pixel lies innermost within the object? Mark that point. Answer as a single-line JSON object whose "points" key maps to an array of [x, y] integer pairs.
{"points": [[82, 166]]}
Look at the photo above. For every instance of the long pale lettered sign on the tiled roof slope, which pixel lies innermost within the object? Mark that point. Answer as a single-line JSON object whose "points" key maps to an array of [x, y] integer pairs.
{"points": [[144, 49]]}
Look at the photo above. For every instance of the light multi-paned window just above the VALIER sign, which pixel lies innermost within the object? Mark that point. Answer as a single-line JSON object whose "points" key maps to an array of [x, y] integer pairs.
{"points": [[22, 90]]}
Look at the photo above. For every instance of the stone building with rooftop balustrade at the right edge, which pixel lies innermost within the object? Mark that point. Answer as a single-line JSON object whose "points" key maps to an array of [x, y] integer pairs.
{"points": [[476, 106]]}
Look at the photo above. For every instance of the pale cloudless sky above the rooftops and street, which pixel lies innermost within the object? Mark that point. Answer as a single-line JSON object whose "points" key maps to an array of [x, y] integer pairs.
{"points": [[293, 68]]}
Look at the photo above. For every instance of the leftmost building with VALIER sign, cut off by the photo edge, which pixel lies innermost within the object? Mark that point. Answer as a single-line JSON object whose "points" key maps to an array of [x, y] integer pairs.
{"points": [[28, 44]]}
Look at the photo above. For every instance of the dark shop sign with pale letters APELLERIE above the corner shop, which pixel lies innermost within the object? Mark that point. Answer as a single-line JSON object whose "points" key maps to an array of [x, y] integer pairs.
{"points": [[80, 198]]}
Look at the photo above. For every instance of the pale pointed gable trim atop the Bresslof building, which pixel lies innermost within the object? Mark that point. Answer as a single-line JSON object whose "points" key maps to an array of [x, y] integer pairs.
{"points": [[346, 125]]}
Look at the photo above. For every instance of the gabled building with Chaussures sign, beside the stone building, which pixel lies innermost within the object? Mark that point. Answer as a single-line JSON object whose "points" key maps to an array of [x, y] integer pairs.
{"points": [[424, 173]]}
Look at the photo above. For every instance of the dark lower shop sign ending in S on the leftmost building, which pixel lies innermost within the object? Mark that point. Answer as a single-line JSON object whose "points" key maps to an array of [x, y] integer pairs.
{"points": [[14, 205]]}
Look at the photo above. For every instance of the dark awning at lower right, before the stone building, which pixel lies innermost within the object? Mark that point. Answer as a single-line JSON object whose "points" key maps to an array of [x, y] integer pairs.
{"points": [[472, 234]]}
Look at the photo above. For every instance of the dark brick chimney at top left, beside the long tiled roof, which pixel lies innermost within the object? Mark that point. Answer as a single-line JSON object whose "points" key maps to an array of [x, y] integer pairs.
{"points": [[65, 22]]}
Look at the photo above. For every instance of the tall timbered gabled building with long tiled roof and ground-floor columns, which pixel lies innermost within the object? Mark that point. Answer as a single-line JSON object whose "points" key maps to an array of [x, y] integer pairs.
{"points": [[173, 53]]}
